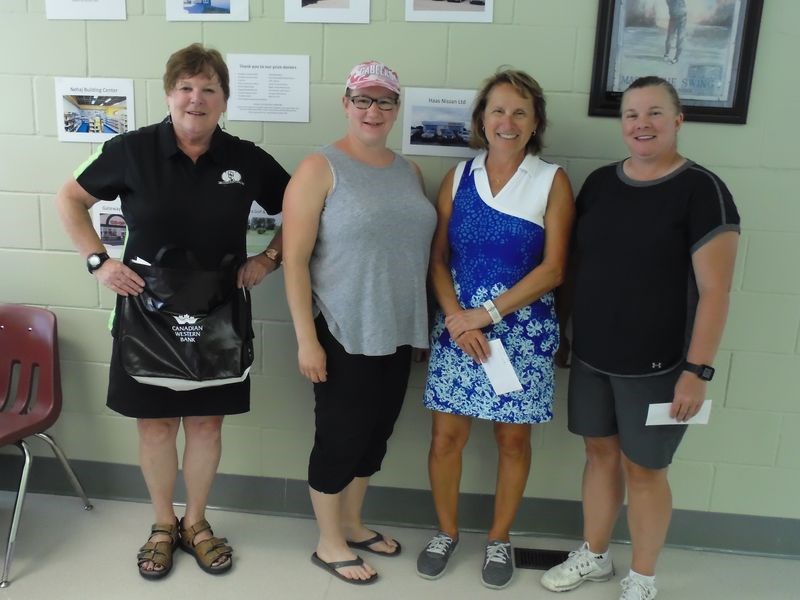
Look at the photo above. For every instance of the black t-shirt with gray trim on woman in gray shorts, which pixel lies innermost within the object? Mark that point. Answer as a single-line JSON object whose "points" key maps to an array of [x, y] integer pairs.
{"points": [[635, 294]]}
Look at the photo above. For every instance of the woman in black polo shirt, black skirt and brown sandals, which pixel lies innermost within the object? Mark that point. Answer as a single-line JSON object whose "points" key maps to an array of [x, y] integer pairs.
{"points": [[187, 183]]}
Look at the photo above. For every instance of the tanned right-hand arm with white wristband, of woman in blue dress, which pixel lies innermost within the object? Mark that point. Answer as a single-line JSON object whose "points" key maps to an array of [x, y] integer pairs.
{"points": [[558, 219]]}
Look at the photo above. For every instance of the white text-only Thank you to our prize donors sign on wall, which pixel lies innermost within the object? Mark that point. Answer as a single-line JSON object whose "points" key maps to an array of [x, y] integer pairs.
{"points": [[269, 87]]}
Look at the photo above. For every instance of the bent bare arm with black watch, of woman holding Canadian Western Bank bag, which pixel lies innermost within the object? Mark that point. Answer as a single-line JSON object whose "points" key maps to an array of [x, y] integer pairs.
{"points": [[73, 204]]}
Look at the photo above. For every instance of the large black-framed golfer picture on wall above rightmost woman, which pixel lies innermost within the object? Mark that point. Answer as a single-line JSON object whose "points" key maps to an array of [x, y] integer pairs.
{"points": [[705, 48]]}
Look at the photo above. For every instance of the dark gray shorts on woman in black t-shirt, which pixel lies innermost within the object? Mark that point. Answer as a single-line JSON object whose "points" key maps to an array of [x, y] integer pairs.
{"points": [[602, 405]]}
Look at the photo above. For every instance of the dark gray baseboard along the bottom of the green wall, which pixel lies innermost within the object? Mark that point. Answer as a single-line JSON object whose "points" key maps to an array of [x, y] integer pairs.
{"points": [[768, 536]]}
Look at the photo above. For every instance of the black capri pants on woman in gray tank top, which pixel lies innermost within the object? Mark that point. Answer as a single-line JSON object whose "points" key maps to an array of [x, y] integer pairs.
{"points": [[355, 412]]}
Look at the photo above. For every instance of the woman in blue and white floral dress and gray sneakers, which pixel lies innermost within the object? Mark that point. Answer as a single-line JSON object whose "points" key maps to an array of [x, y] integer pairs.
{"points": [[499, 250]]}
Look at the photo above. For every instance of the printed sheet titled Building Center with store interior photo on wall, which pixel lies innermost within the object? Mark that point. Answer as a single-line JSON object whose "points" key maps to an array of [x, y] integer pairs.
{"points": [[93, 110]]}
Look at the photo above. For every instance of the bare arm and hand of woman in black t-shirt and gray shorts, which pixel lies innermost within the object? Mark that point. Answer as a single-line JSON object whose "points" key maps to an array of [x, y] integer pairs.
{"points": [[713, 267]]}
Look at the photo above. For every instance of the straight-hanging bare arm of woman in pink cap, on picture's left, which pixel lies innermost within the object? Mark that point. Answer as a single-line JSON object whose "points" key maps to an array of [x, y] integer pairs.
{"points": [[302, 206]]}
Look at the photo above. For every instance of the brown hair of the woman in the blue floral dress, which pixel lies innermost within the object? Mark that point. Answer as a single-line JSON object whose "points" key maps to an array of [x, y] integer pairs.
{"points": [[527, 87]]}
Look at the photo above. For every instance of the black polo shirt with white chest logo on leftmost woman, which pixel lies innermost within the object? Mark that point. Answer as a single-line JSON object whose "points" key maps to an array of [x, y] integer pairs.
{"points": [[168, 199]]}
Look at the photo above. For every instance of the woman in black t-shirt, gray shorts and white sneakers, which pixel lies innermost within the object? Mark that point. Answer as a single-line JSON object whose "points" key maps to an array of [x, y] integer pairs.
{"points": [[656, 239]]}
